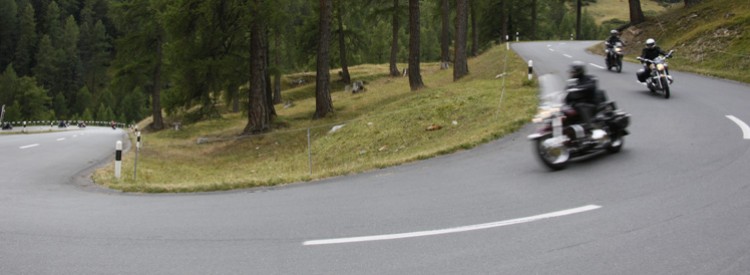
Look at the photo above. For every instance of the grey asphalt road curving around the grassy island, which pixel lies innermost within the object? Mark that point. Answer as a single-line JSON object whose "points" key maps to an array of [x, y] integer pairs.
{"points": [[674, 201]]}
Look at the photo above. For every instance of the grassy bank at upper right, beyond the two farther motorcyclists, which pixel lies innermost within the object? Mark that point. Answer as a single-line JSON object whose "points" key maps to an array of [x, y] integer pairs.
{"points": [[711, 38]]}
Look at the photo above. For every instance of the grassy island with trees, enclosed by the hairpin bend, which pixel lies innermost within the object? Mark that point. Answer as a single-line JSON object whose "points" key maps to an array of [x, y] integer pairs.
{"points": [[384, 126]]}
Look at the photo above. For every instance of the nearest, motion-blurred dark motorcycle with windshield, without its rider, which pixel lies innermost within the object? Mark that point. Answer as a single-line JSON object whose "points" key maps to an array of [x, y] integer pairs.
{"points": [[560, 136]]}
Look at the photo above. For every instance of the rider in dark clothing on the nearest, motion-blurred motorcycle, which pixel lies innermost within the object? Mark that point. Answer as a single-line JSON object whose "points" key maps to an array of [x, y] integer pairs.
{"points": [[582, 93]]}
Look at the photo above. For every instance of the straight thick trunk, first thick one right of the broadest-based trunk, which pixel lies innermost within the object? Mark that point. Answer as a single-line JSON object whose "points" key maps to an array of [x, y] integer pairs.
{"points": [[323, 103]]}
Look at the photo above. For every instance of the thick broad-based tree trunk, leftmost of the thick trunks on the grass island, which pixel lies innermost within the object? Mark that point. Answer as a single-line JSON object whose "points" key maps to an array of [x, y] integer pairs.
{"points": [[258, 118]]}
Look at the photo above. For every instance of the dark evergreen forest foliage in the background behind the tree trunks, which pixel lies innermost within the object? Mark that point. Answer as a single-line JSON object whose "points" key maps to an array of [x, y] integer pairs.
{"points": [[131, 58]]}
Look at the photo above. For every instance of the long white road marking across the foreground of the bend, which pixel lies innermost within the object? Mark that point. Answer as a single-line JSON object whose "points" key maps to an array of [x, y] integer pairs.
{"points": [[455, 229]]}
